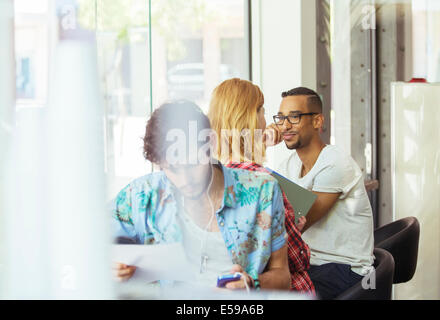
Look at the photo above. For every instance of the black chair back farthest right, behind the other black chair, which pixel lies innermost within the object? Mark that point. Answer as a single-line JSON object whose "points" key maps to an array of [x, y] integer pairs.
{"points": [[401, 239]]}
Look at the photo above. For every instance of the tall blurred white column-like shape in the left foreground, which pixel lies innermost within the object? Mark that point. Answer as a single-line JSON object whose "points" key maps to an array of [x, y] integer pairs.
{"points": [[80, 244]]}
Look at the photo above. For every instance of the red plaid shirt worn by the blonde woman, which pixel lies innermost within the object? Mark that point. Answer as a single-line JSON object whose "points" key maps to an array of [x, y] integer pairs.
{"points": [[298, 251]]}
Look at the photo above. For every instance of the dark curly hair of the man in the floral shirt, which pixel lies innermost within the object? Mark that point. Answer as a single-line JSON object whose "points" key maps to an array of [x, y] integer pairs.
{"points": [[177, 114]]}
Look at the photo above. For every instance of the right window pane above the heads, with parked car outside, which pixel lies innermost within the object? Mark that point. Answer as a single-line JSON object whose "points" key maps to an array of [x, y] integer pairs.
{"points": [[196, 46]]}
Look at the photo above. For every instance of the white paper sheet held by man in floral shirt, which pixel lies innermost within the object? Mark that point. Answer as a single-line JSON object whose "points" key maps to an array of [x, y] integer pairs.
{"points": [[155, 262]]}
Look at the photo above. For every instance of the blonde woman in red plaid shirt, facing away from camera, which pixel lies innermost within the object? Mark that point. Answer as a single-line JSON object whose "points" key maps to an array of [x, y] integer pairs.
{"points": [[236, 114]]}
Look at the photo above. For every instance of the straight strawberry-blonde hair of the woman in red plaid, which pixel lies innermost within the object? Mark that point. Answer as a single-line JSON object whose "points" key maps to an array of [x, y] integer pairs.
{"points": [[233, 116]]}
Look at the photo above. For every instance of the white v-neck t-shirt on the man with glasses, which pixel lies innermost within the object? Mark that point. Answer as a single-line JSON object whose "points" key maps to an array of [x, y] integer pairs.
{"points": [[345, 234]]}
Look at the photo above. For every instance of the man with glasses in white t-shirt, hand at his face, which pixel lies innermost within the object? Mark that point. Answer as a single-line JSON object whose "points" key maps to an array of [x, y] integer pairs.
{"points": [[339, 227]]}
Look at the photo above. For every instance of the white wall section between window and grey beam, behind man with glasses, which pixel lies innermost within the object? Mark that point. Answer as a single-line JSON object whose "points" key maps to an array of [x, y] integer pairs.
{"points": [[283, 53]]}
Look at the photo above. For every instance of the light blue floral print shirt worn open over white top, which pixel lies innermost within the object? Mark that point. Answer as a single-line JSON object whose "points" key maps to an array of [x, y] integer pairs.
{"points": [[250, 219]]}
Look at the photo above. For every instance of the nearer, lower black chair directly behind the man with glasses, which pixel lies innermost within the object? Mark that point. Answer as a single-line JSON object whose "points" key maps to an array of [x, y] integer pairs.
{"points": [[384, 271]]}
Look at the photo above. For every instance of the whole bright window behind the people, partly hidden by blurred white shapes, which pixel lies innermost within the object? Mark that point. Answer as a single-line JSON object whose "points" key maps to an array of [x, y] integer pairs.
{"points": [[191, 47]]}
